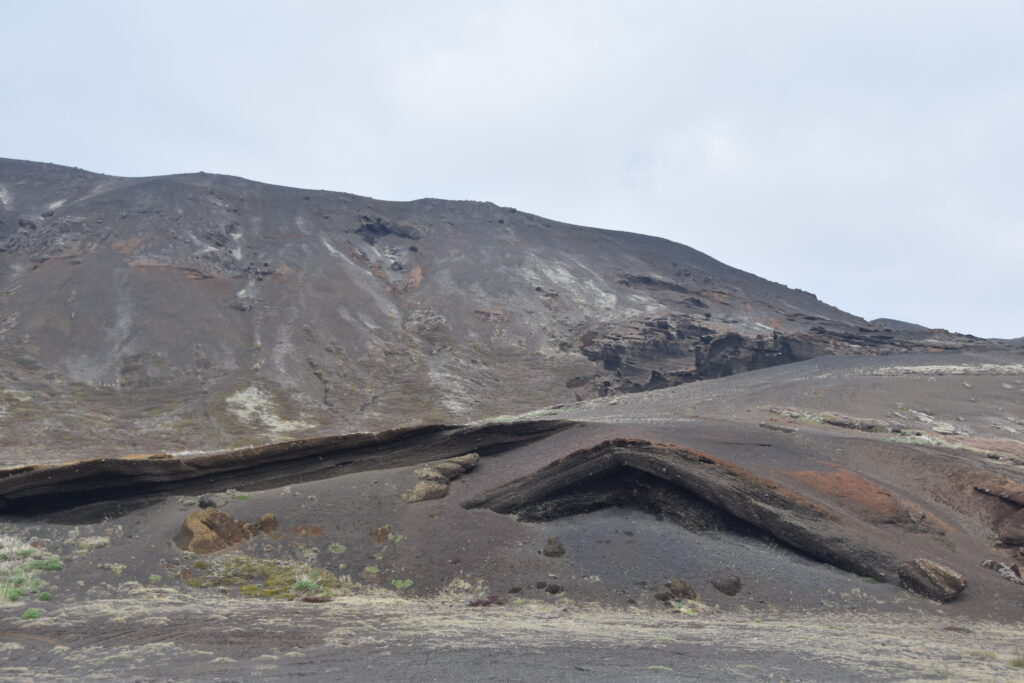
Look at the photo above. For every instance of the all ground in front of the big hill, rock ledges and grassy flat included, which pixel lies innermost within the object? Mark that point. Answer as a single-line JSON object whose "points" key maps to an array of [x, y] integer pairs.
{"points": [[786, 501]]}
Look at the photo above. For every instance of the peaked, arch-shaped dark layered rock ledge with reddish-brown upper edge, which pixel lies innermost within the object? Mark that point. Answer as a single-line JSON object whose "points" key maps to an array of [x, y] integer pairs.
{"points": [[704, 493]]}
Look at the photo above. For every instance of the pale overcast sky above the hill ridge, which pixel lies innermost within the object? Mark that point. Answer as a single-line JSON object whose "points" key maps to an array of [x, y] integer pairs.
{"points": [[872, 153]]}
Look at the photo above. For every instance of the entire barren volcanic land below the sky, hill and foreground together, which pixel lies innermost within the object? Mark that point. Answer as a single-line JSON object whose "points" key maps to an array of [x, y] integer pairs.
{"points": [[449, 441]]}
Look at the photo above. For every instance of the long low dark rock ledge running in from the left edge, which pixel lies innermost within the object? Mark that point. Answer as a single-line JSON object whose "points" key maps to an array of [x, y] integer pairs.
{"points": [[49, 489]]}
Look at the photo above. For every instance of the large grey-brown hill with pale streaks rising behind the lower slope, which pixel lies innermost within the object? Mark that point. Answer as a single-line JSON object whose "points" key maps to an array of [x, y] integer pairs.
{"points": [[199, 312]]}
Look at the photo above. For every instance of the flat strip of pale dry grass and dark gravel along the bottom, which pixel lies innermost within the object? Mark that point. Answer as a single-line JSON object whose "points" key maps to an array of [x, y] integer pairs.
{"points": [[160, 634]]}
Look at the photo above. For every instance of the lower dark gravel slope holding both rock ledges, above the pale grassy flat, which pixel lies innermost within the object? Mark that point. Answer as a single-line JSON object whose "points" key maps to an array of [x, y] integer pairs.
{"points": [[766, 508]]}
